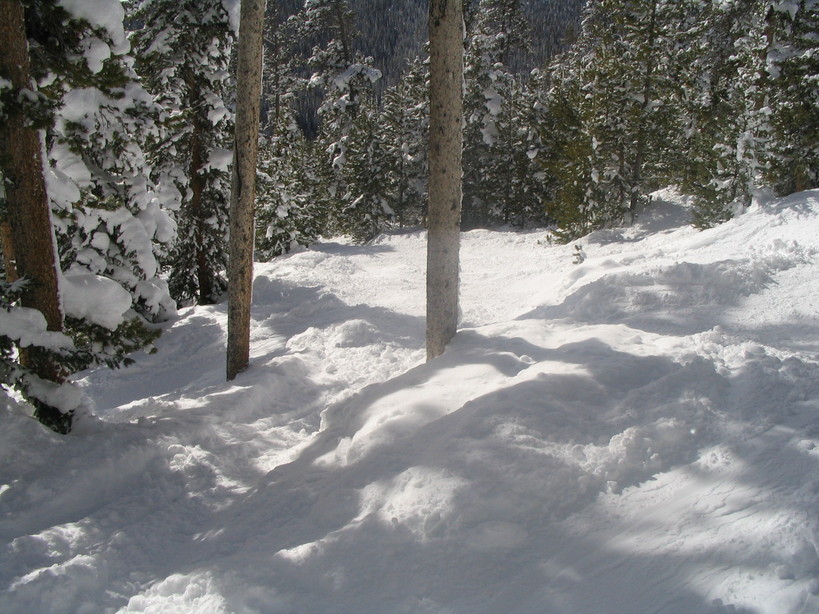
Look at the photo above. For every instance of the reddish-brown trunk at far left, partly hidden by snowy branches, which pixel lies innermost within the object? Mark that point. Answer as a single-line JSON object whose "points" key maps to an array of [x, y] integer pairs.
{"points": [[29, 242]]}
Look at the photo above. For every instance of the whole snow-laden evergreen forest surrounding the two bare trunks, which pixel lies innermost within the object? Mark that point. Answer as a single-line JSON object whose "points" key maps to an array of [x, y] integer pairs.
{"points": [[572, 119]]}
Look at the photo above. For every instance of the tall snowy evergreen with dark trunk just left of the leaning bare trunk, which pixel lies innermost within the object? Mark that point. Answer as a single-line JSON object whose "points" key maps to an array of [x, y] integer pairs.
{"points": [[183, 52]]}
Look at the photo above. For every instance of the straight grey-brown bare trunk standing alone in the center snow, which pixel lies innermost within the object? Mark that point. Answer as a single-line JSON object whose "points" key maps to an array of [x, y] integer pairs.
{"points": [[445, 171]]}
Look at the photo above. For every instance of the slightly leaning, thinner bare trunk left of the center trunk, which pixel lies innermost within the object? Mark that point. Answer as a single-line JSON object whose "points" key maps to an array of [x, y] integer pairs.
{"points": [[243, 195]]}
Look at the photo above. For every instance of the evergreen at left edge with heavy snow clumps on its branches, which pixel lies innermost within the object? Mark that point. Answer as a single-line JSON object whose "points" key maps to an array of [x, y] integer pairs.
{"points": [[108, 222]]}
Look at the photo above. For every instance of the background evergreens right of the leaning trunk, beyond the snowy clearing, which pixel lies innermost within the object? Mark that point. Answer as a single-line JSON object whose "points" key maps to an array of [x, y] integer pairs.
{"points": [[718, 98]]}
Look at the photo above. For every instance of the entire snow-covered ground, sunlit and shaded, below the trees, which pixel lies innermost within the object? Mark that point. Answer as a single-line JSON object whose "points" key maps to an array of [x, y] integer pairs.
{"points": [[634, 434]]}
